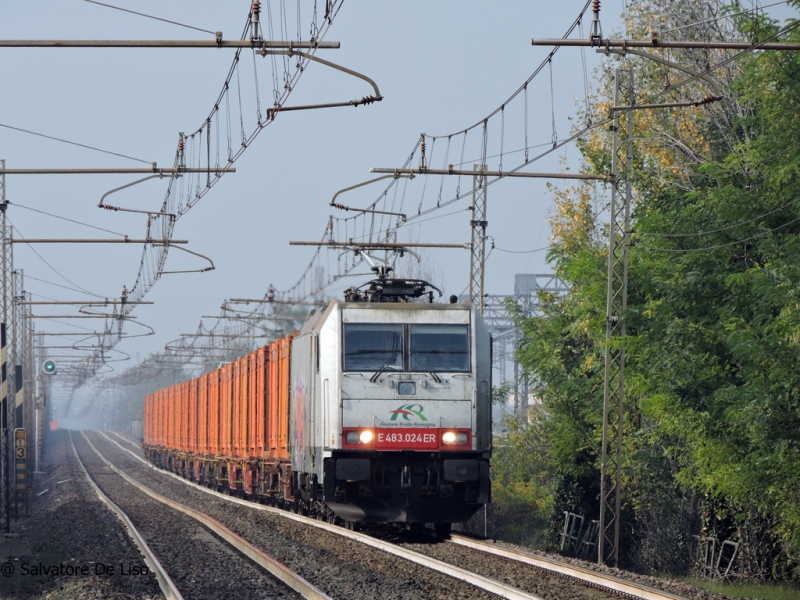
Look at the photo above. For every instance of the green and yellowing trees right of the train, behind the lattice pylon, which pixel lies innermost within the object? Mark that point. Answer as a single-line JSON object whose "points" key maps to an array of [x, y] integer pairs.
{"points": [[712, 424]]}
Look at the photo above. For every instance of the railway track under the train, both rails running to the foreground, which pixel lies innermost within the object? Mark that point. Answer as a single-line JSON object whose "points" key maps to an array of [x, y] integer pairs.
{"points": [[502, 571]]}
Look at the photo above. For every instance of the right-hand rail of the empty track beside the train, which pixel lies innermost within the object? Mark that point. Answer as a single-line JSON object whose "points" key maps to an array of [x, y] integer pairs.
{"points": [[278, 570]]}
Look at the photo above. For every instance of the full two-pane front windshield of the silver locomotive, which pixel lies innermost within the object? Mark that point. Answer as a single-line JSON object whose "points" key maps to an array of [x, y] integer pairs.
{"points": [[437, 348]]}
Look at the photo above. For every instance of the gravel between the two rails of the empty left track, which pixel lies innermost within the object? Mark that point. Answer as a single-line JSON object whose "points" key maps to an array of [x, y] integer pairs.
{"points": [[200, 564]]}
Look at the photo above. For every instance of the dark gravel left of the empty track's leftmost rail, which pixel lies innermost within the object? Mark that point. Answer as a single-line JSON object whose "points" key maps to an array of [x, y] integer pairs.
{"points": [[69, 531]]}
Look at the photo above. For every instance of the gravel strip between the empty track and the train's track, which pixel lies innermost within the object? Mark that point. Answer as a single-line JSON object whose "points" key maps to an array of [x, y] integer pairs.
{"points": [[340, 567]]}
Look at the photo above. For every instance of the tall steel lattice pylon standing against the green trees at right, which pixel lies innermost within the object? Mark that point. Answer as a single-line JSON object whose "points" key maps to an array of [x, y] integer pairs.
{"points": [[617, 300]]}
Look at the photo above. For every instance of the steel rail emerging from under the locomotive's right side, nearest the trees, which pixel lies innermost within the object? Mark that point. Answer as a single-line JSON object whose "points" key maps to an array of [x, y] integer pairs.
{"points": [[614, 584]]}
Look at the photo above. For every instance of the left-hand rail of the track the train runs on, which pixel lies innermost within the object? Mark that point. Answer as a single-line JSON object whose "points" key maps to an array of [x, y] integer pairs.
{"points": [[496, 587]]}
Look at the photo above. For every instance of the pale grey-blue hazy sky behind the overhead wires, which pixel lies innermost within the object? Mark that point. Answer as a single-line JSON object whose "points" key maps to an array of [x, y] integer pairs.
{"points": [[441, 67]]}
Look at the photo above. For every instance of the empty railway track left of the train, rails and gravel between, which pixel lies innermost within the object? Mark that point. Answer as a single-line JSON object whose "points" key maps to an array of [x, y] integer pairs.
{"points": [[203, 565]]}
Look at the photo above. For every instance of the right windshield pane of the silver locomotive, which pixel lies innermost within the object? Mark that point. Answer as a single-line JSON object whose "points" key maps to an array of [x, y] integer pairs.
{"points": [[440, 348]]}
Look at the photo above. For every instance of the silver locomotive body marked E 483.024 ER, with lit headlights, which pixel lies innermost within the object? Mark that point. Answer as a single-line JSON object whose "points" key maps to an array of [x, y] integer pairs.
{"points": [[390, 417]]}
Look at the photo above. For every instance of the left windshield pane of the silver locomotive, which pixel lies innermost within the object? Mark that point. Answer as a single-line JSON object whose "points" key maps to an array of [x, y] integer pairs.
{"points": [[373, 347]]}
